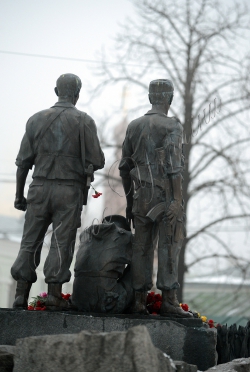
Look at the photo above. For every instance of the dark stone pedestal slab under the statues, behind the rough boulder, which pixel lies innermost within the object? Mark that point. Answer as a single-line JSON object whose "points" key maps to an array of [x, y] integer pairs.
{"points": [[182, 339]]}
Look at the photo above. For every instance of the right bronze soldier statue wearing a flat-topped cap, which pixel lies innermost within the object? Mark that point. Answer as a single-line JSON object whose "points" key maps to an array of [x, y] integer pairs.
{"points": [[151, 171]]}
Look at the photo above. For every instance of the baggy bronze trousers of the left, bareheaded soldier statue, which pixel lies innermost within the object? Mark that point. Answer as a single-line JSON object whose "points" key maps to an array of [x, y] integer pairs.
{"points": [[56, 202]]}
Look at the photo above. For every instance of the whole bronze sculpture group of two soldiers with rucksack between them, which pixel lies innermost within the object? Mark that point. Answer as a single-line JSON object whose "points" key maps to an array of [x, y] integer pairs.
{"points": [[113, 270]]}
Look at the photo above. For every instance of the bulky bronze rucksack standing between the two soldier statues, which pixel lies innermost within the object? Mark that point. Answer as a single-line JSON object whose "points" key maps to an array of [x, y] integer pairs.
{"points": [[102, 281]]}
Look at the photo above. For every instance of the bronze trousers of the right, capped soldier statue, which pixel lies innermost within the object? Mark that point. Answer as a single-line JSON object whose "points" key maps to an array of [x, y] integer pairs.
{"points": [[147, 233]]}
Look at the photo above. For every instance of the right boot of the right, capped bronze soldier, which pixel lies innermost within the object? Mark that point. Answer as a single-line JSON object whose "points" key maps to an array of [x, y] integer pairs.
{"points": [[170, 305]]}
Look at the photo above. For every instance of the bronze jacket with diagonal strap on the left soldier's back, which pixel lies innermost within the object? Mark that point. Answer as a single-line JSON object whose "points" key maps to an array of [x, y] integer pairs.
{"points": [[65, 149]]}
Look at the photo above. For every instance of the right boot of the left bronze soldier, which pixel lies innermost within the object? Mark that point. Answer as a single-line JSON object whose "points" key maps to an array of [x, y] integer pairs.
{"points": [[54, 300]]}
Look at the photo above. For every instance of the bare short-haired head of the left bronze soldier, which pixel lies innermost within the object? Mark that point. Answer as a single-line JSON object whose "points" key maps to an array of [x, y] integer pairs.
{"points": [[68, 85]]}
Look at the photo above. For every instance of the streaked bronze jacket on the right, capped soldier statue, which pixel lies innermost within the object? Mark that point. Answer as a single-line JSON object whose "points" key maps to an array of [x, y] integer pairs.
{"points": [[152, 149]]}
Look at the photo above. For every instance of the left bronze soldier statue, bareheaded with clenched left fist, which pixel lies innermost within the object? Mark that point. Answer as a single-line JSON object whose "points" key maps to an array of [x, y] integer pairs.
{"points": [[62, 144]]}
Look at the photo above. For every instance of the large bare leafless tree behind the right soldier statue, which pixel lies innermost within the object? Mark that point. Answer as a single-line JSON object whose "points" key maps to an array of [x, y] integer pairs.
{"points": [[200, 46]]}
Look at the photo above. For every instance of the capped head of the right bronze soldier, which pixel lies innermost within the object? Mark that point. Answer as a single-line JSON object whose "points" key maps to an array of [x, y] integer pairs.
{"points": [[160, 90]]}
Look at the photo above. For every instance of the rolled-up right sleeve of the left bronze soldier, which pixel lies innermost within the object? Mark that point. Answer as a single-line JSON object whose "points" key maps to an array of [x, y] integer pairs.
{"points": [[90, 145]]}
